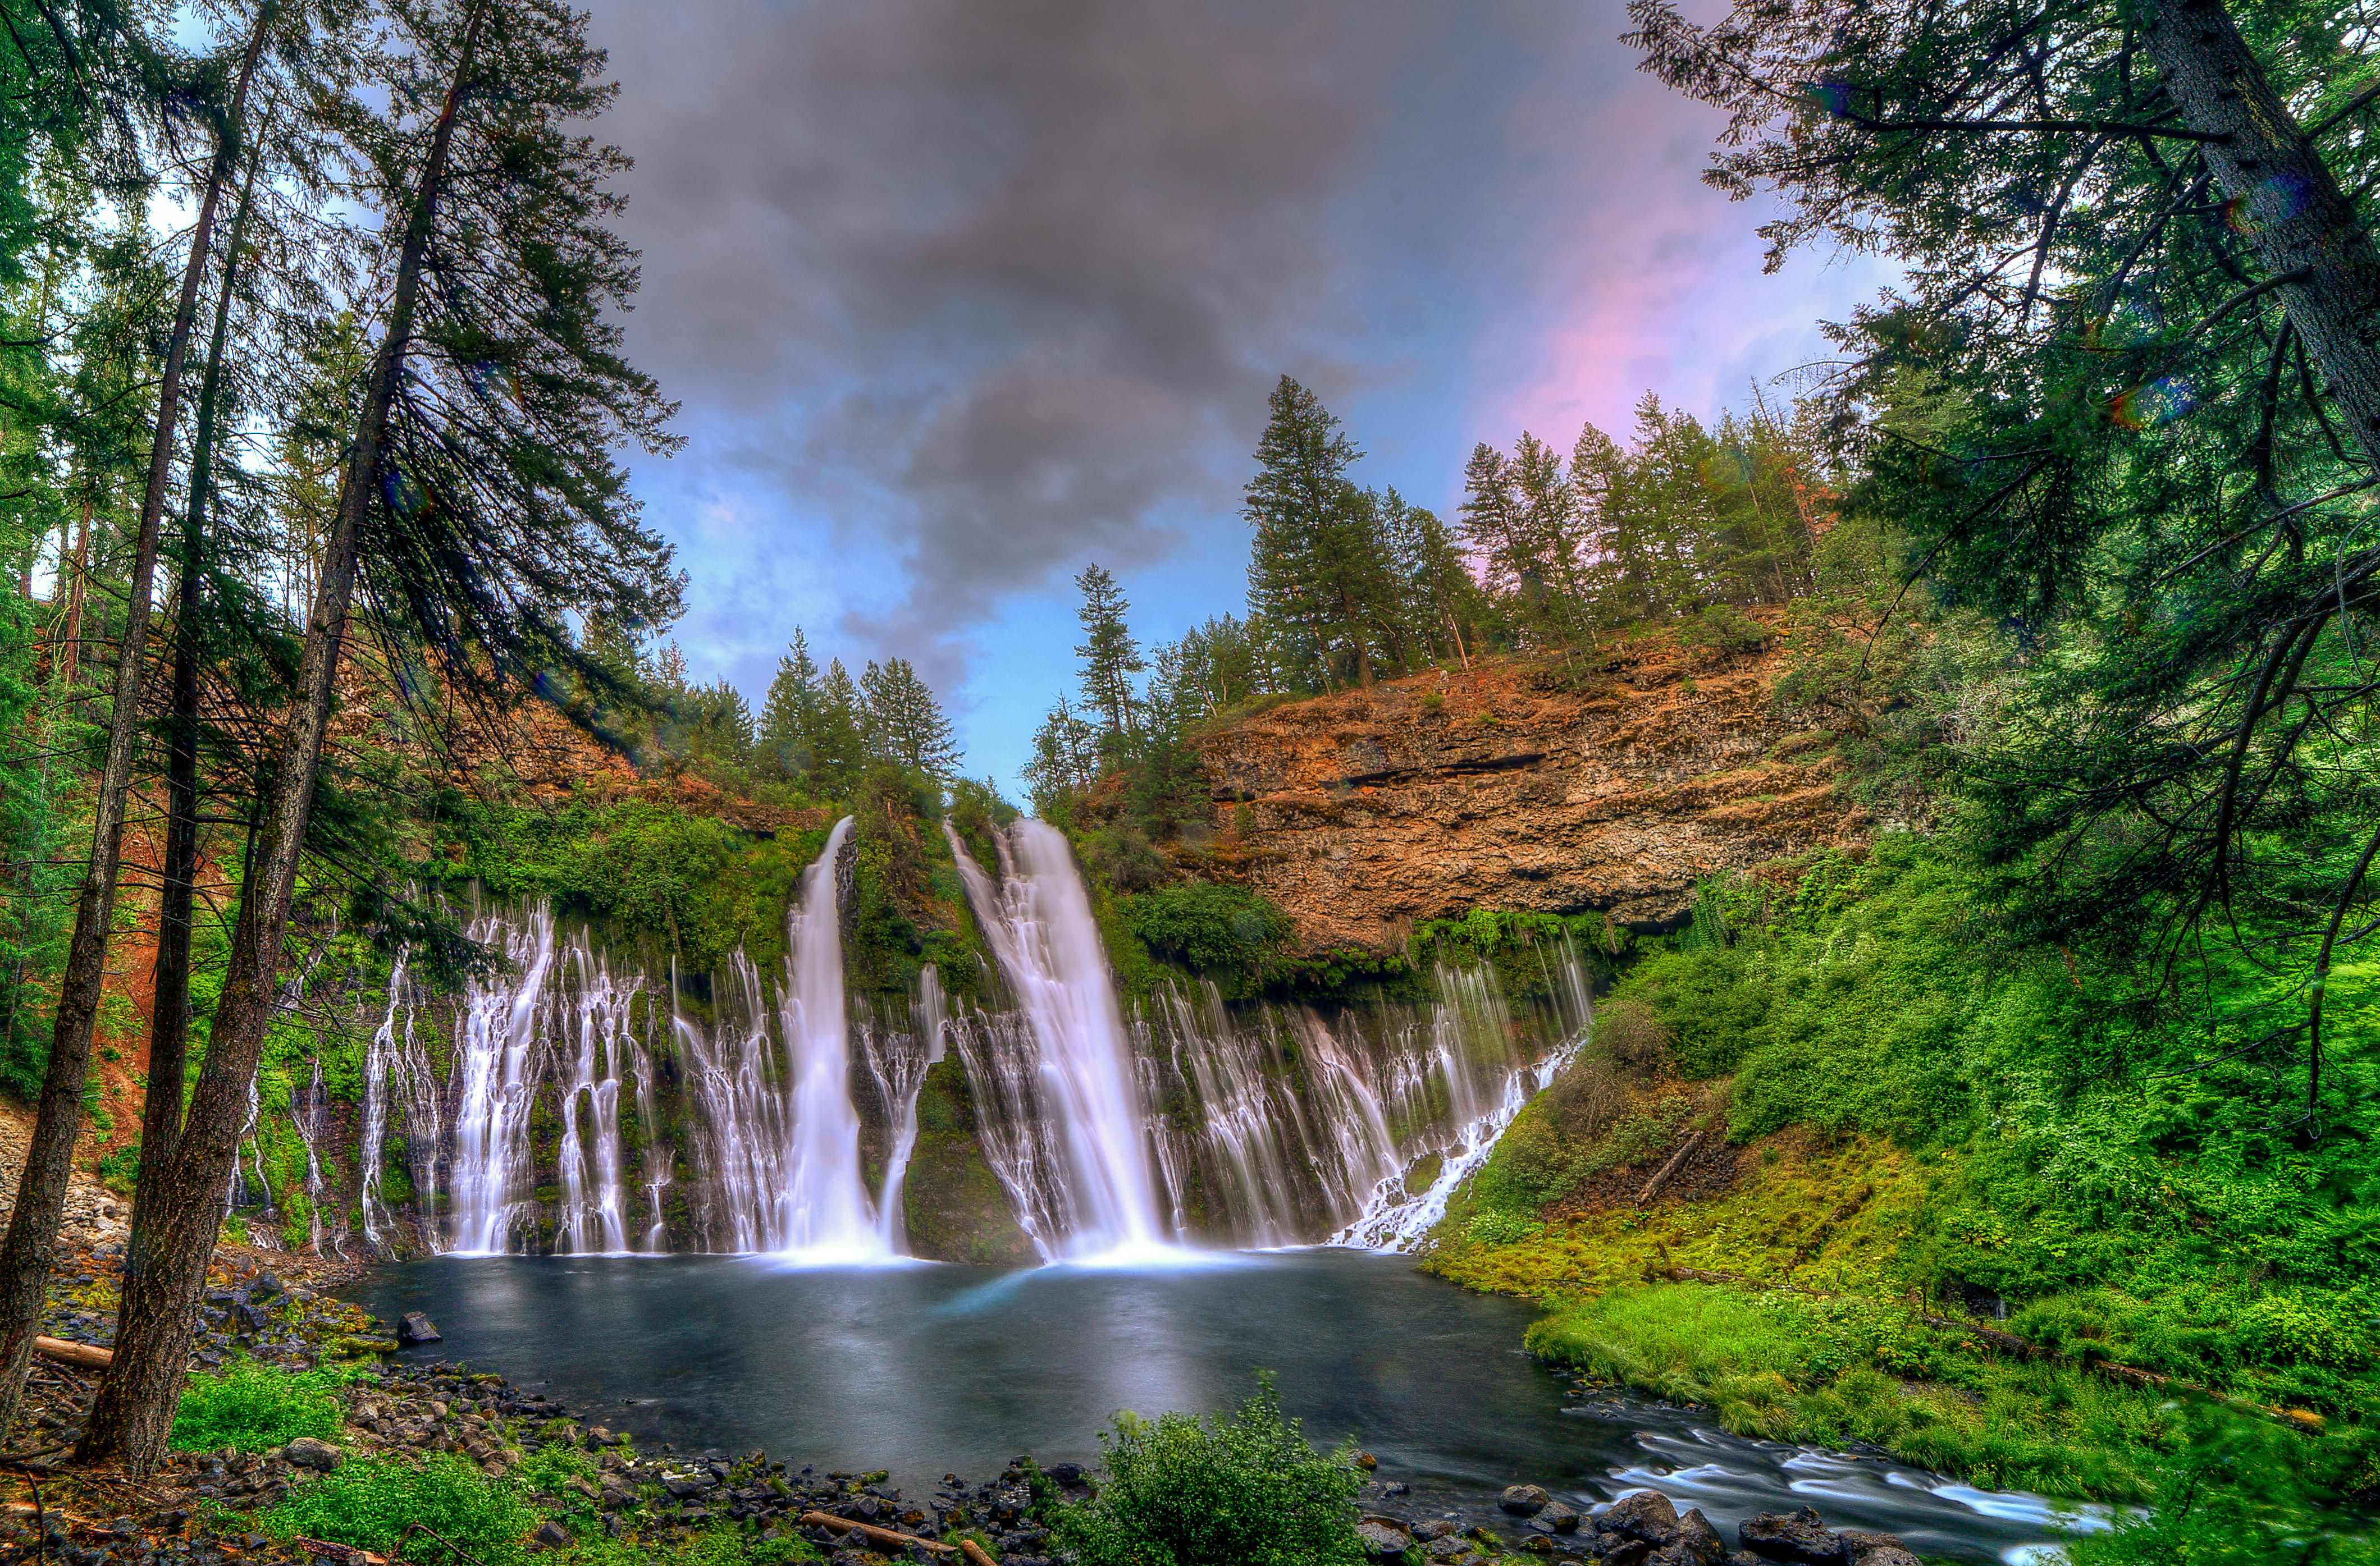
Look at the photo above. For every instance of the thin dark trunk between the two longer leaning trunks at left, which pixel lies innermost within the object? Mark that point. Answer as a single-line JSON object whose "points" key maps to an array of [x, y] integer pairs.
{"points": [[170, 1006]]}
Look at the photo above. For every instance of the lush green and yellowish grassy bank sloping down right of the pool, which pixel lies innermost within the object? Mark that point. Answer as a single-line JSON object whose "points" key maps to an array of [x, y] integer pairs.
{"points": [[1903, 1115]]}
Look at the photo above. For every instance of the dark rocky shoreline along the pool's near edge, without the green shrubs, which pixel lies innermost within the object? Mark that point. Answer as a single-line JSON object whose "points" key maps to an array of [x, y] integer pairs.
{"points": [[208, 1508]]}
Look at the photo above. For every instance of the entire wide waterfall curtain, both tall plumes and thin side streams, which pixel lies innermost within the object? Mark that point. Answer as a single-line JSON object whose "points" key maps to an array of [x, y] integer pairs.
{"points": [[1113, 1129]]}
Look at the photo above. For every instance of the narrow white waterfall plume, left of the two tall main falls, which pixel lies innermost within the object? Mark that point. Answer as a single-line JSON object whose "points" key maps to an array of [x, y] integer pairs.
{"points": [[827, 1213]]}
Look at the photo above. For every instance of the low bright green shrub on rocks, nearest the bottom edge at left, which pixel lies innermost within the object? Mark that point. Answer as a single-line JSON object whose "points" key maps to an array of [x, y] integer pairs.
{"points": [[372, 1501]]}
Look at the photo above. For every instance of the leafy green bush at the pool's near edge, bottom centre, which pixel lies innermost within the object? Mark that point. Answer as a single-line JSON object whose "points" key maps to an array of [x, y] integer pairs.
{"points": [[1241, 1491]]}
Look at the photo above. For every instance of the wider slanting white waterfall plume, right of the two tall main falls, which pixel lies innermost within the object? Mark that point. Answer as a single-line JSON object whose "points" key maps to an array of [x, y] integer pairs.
{"points": [[1084, 1084]]}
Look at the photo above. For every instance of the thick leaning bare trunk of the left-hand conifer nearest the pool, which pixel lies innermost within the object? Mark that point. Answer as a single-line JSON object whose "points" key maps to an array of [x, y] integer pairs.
{"points": [[134, 1410]]}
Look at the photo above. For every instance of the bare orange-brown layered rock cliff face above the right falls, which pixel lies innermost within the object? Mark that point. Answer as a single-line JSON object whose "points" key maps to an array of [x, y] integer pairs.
{"points": [[1517, 787]]}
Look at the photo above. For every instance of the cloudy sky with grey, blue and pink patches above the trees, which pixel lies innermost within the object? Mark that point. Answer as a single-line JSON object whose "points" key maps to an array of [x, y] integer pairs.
{"points": [[960, 296]]}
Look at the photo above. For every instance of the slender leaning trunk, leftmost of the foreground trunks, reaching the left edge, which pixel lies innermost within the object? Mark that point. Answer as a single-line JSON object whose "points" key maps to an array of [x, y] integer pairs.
{"points": [[42, 1194]]}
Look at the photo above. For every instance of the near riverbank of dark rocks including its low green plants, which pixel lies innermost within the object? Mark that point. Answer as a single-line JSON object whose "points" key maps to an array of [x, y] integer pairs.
{"points": [[339, 1453]]}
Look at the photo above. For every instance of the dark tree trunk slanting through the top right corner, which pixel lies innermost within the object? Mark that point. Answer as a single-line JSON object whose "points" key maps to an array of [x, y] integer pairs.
{"points": [[2303, 225]]}
